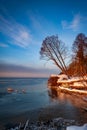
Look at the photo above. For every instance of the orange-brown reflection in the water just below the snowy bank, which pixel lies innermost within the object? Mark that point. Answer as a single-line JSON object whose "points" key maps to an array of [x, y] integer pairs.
{"points": [[73, 99]]}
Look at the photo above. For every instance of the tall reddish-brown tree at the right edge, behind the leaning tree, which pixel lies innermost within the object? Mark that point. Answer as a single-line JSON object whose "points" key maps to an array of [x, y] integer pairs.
{"points": [[79, 60]]}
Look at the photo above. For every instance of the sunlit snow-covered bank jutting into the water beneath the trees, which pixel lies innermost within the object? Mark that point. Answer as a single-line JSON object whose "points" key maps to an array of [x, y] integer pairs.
{"points": [[71, 85]]}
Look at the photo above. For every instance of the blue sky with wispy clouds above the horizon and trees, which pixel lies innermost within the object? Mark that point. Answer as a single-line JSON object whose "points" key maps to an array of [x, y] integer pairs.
{"points": [[24, 24]]}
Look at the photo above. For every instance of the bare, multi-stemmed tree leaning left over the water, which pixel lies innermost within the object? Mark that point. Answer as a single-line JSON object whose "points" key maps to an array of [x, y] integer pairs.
{"points": [[53, 49]]}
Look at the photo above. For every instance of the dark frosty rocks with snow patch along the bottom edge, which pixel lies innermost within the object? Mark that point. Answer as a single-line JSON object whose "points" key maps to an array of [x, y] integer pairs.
{"points": [[54, 124]]}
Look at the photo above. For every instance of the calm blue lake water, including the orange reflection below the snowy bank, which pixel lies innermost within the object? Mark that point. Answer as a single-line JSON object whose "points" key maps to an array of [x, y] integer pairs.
{"points": [[32, 94]]}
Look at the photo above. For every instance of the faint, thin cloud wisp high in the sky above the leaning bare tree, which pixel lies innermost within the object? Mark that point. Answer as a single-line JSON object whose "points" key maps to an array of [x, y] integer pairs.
{"points": [[39, 23]]}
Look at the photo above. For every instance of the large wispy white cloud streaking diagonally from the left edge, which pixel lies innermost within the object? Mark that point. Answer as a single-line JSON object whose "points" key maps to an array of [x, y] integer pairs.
{"points": [[17, 34]]}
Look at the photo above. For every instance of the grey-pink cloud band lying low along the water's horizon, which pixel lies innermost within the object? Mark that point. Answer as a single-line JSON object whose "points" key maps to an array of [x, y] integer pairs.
{"points": [[7, 70]]}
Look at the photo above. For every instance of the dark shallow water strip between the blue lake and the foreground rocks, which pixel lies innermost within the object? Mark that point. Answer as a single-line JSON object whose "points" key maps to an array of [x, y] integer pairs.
{"points": [[46, 114]]}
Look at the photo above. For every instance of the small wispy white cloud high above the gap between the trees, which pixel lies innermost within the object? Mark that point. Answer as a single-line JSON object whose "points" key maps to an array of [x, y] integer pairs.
{"points": [[74, 24]]}
